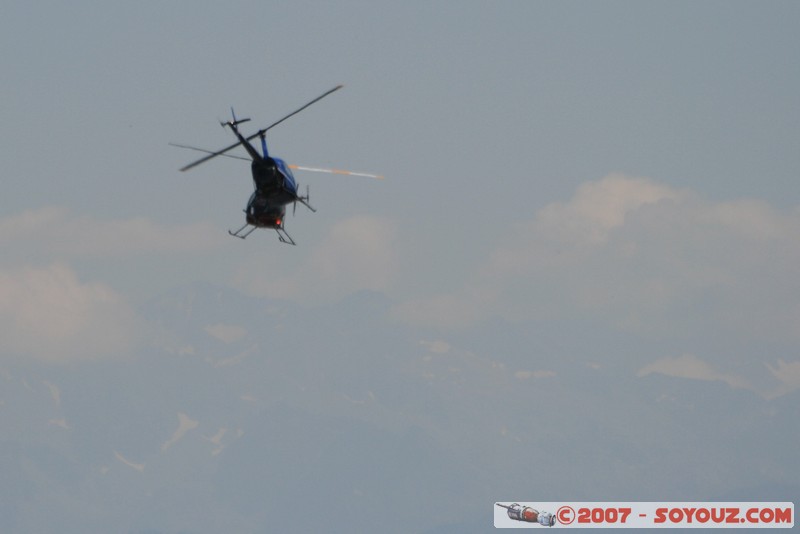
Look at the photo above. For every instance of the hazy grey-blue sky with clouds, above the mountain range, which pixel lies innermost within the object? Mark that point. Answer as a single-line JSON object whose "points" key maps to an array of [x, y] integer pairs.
{"points": [[632, 166]]}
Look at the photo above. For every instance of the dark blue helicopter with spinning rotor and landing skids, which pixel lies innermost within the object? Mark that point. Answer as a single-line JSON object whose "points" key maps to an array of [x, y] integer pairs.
{"points": [[274, 182]]}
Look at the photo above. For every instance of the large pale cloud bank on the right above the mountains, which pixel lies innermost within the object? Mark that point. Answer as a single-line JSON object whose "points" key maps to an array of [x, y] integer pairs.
{"points": [[641, 256]]}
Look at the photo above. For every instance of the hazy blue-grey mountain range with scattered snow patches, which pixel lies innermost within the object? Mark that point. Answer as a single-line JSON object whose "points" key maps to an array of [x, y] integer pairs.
{"points": [[248, 414]]}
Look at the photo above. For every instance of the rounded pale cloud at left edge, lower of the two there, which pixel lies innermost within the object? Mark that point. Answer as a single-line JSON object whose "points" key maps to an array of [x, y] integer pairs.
{"points": [[47, 314]]}
